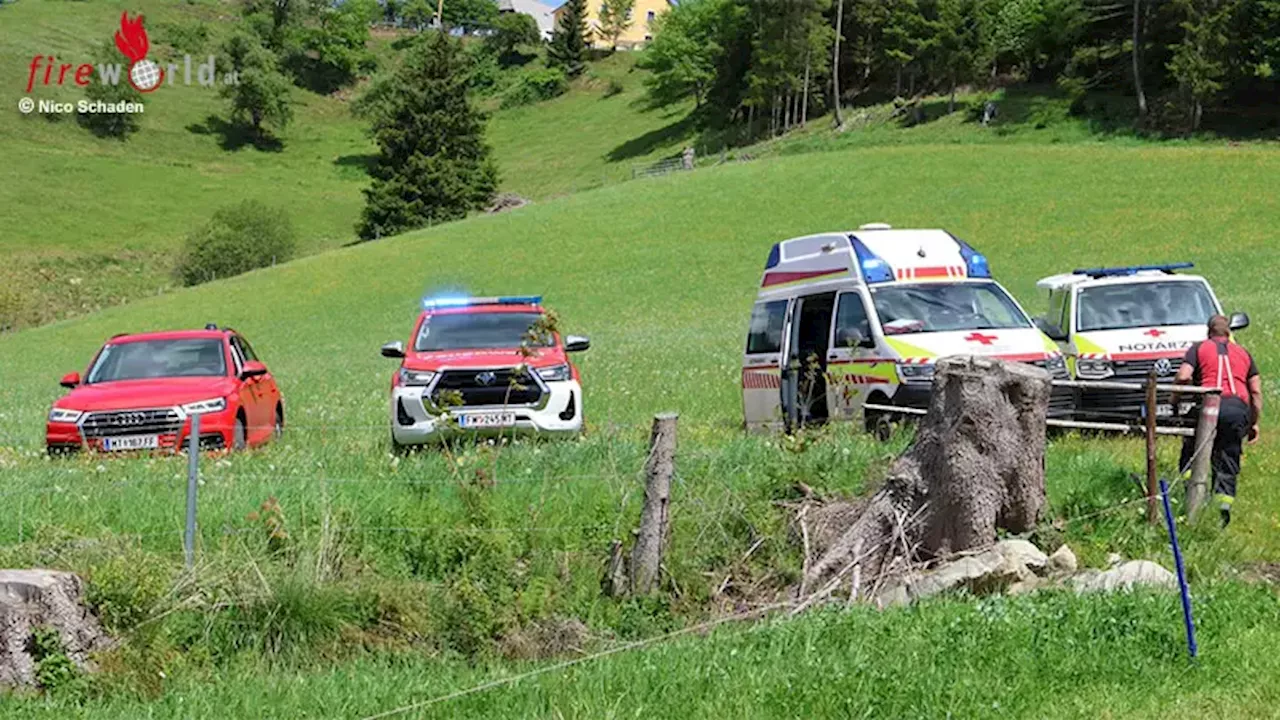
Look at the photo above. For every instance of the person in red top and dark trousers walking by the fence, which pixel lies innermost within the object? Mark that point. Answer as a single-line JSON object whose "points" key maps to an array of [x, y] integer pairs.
{"points": [[1226, 366]]}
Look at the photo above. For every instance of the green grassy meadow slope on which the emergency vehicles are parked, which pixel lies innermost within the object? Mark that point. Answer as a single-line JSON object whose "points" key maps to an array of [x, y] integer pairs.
{"points": [[390, 555]]}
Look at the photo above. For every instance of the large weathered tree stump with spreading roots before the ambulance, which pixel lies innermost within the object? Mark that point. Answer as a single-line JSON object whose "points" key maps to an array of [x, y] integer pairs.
{"points": [[977, 464]]}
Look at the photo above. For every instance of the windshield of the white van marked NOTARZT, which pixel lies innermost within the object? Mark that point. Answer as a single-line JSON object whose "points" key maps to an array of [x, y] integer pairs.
{"points": [[1144, 306]]}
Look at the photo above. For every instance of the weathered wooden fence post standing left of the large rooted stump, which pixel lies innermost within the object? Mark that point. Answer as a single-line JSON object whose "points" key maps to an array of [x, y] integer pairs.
{"points": [[652, 539]]}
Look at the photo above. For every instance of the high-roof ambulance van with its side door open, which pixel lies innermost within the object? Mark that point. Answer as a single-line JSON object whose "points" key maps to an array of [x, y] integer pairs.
{"points": [[858, 317]]}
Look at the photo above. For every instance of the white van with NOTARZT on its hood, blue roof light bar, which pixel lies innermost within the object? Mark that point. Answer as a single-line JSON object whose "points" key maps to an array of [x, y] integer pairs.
{"points": [[1123, 323]]}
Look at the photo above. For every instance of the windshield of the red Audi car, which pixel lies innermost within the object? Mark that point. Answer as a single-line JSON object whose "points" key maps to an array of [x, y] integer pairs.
{"points": [[159, 359]]}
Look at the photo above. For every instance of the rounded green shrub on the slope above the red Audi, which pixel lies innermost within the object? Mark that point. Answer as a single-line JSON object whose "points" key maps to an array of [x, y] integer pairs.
{"points": [[237, 240]]}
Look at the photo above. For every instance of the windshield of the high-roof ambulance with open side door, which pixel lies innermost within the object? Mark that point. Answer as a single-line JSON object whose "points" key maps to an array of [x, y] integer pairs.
{"points": [[947, 307]]}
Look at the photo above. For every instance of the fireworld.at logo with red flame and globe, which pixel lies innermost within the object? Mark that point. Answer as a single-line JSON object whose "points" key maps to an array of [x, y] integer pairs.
{"points": [[144, 74]]}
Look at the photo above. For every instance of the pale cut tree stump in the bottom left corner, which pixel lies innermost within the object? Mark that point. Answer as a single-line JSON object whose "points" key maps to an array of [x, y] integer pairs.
{"points": [[43, 599]]}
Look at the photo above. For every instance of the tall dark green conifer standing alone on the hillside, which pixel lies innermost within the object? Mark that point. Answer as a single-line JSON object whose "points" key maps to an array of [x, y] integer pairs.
{"points": [[433, 165]]}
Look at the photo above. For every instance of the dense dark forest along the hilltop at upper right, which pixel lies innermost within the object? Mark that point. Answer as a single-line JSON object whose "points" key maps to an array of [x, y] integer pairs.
{"points": [[766, 66]]}
